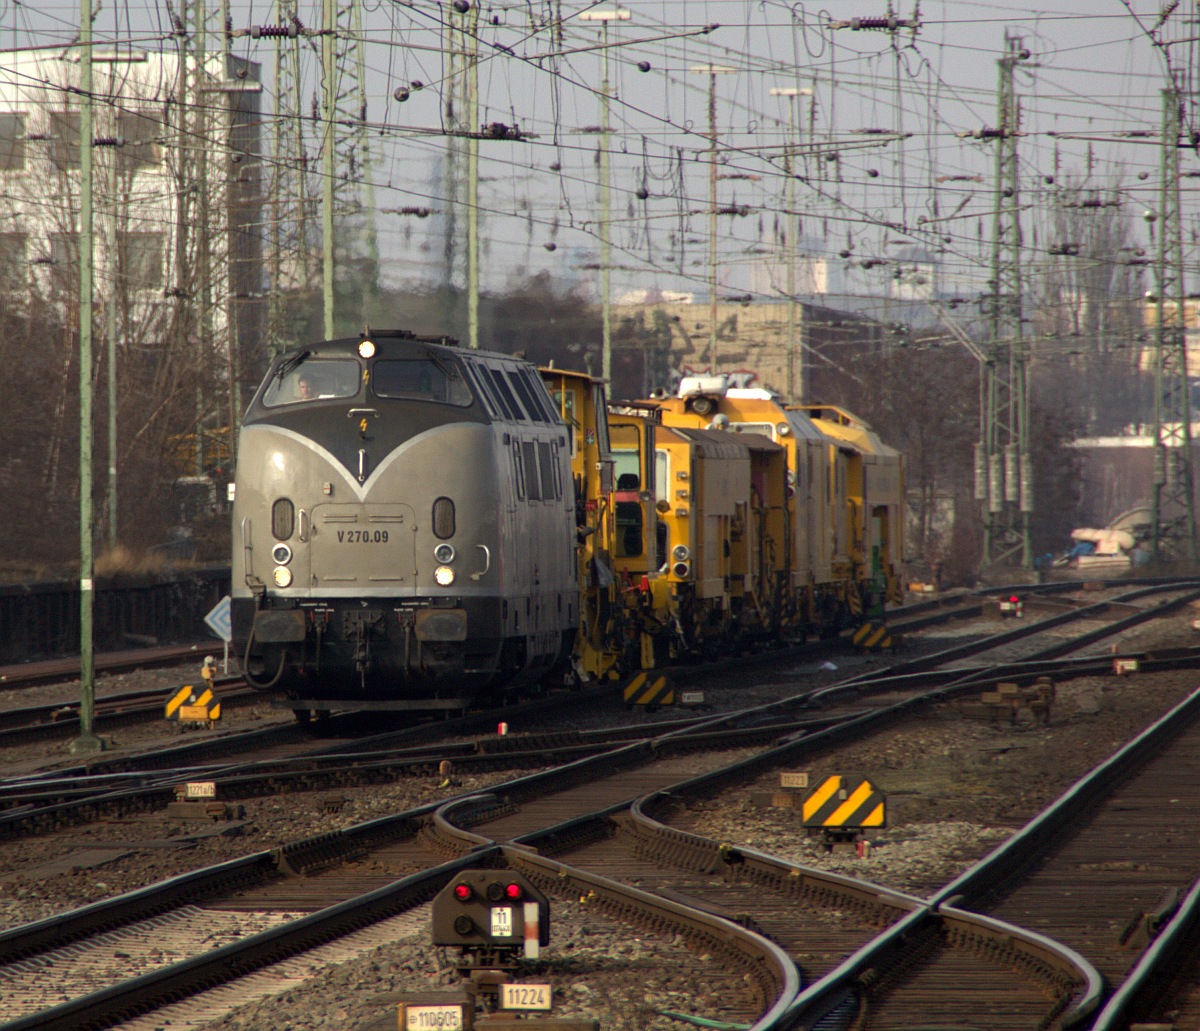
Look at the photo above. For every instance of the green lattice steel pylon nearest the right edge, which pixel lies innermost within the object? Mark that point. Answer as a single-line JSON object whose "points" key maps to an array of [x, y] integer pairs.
{"points": [[1174, 507]]}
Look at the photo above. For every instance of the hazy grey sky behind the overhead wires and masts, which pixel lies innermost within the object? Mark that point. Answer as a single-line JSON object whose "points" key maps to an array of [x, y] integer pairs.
{"points": [[890, 106]]}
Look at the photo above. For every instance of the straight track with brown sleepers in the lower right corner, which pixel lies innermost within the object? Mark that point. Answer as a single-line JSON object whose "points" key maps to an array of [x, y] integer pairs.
{"points": [[1101, 872]]}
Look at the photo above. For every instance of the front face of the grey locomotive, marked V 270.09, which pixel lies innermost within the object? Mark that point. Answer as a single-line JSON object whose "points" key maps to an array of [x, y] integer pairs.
{"points": [[367, 530]]}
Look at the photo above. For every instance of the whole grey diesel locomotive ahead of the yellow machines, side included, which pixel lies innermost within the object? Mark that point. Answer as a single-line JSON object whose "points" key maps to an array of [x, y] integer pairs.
{"points": [[404, 526]]}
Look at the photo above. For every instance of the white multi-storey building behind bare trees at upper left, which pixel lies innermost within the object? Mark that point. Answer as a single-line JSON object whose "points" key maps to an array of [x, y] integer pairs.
{"points": [[170, 181]]}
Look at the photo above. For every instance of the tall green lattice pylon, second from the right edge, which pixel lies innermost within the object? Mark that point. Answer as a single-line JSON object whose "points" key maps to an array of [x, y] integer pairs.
{"points": [[1004, 467]]}
